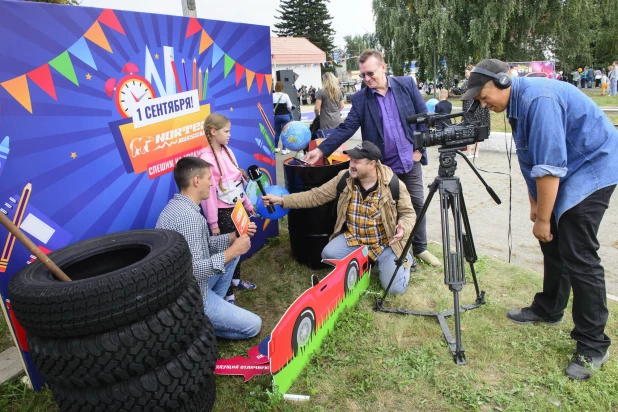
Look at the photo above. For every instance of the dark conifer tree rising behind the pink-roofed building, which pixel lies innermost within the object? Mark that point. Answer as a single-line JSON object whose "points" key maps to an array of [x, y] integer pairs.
{"points": [[309, 19]]}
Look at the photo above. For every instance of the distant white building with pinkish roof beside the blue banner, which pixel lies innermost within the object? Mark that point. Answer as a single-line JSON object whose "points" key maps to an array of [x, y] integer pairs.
{"points": [[301, 56]]}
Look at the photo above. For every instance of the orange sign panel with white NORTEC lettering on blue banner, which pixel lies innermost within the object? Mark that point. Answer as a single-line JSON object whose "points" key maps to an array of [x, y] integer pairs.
{"points": [[149, 145]]}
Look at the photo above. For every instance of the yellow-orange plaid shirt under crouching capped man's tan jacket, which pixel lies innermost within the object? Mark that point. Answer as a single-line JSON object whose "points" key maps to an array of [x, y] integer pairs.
{"points": [[364, 223]]}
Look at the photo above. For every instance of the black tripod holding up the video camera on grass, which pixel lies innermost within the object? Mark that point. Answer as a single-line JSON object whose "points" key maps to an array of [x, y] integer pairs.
{"points": [[451, 197]]}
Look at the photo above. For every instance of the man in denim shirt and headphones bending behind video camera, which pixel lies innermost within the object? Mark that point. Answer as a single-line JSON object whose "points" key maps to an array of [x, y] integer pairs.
{"points": [[568, 154]]}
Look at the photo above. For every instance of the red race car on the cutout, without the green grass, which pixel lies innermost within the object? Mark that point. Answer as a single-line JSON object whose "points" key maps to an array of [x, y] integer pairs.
{"points": [[308, 313]]}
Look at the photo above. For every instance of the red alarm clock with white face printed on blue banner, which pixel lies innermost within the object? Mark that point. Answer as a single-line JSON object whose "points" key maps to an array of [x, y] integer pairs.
{"points": [[130, 90]]}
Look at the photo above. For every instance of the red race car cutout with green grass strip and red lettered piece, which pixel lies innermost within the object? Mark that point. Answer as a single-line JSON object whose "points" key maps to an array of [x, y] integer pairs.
{"points": [[305, 324]]}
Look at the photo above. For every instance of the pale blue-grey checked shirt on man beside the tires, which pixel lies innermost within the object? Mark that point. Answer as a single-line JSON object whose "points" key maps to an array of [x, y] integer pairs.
{"points": [[182, 215]]}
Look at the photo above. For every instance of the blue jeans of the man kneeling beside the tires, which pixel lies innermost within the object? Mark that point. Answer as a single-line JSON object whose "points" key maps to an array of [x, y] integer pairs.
{"points": [[229, 321]]}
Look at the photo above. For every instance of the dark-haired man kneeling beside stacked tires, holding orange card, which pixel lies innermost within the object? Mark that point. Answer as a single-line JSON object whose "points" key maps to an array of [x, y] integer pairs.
{"points": [[214, 257]]}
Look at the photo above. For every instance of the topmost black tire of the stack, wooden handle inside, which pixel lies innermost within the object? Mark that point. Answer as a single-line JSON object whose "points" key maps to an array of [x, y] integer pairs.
{"points": [[117, 279]]}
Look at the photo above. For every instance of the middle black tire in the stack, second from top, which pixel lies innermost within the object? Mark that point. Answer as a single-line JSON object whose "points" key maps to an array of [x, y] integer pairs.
{"points": [[126, 352]]}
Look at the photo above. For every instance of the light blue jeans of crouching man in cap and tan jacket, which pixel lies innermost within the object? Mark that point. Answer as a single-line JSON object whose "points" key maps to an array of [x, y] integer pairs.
{"points": [[338, 249]]}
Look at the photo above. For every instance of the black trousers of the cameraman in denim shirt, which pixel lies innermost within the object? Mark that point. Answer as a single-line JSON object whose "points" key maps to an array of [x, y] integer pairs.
{"points": [[571, 262]]}
